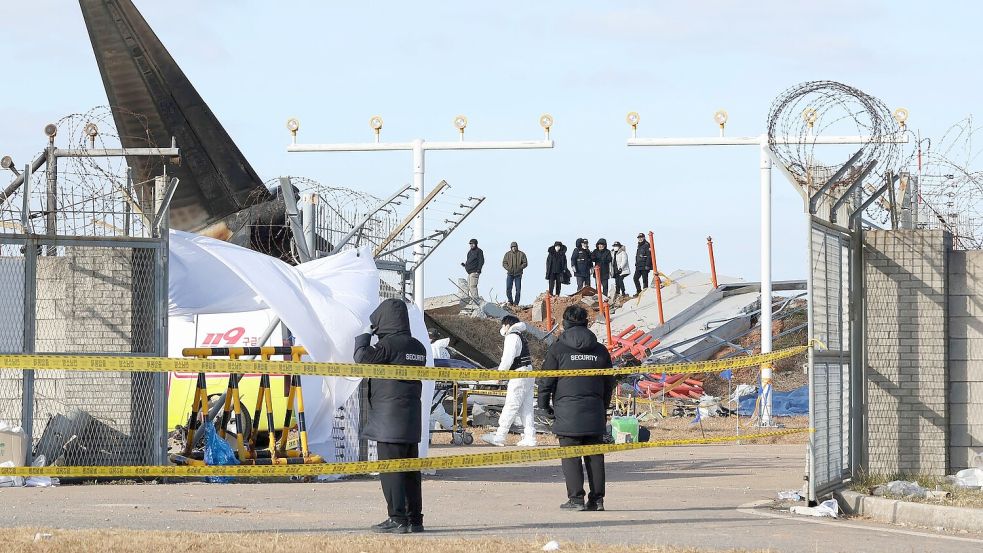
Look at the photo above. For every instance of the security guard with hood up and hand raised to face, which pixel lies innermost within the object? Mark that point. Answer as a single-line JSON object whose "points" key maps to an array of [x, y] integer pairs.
{"points": [[394, 412]]}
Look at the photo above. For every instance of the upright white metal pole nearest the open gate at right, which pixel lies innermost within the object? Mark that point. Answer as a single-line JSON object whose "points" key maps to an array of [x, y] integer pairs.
{"points": [[766, 371]]}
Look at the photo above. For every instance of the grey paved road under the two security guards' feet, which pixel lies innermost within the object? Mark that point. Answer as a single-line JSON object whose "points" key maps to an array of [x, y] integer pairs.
{"points": [[692, 496]]}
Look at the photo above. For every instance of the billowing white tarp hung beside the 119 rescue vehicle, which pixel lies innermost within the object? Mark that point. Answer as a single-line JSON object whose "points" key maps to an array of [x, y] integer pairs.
{"points": [[325, 303]]}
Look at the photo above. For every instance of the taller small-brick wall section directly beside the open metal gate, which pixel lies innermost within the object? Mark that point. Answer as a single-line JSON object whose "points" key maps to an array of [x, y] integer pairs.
{"points": [[905, 287]]}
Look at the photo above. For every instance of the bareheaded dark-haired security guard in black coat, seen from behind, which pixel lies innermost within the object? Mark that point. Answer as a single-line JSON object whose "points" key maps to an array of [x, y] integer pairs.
{"points": [[579, 405]]}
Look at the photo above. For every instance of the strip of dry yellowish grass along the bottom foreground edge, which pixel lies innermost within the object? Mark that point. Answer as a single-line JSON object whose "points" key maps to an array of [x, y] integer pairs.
{"points": [[72, 541]]}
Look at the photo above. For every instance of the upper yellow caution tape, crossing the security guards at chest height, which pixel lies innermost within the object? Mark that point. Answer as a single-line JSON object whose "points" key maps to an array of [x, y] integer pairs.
{"points": [[397, 372]]}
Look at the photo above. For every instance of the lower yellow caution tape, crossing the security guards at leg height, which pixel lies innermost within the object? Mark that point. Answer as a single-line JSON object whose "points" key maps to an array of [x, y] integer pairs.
{"points": [[365, 467]]}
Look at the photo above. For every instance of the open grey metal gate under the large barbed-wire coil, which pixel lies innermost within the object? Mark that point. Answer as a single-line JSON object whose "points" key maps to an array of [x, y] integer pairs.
{"points": [[832, 382]]}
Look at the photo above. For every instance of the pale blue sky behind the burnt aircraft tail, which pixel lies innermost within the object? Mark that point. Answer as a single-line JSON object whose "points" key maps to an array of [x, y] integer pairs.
{"points": [[502, 64]]}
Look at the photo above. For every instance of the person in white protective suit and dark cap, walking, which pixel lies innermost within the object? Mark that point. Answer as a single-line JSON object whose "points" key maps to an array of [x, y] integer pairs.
{"points": [[519, 400]]}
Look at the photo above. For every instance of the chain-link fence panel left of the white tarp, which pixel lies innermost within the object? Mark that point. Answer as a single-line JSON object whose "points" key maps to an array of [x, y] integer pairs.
{"points": [[94, 296]]}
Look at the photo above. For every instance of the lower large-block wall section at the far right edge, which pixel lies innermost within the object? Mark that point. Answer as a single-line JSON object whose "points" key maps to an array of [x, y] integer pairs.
{"points": [[965, 358]]}
